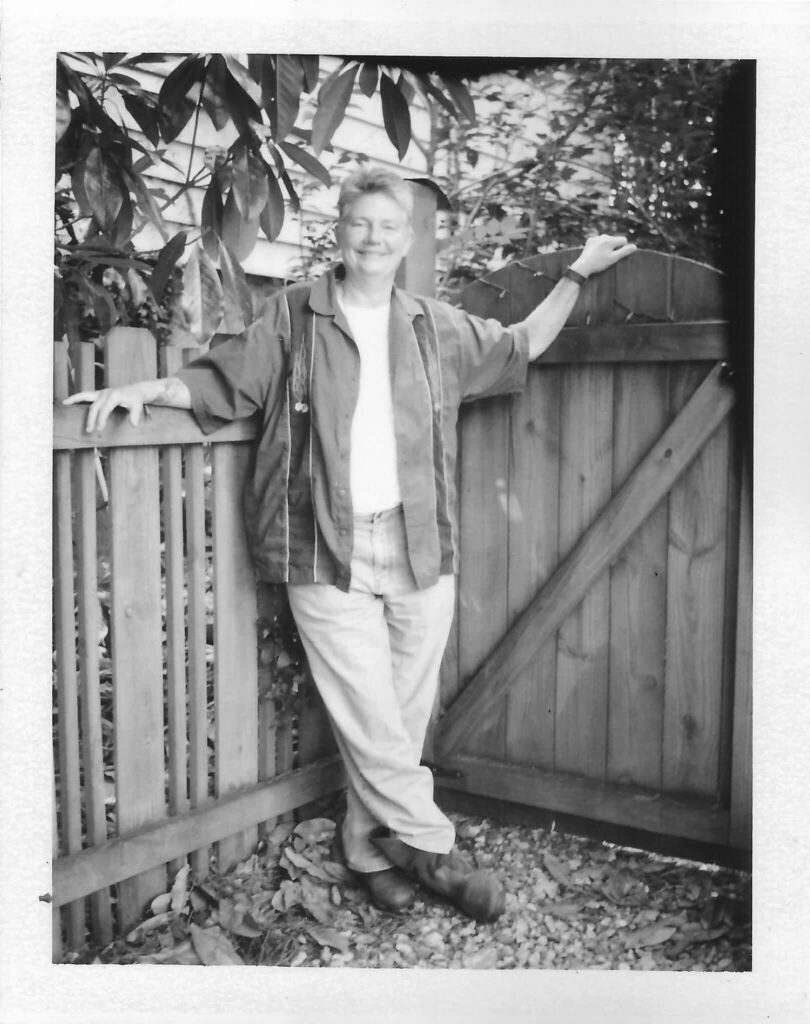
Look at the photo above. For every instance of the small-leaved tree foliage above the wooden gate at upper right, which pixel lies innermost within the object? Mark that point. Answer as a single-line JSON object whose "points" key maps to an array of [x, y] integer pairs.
{"points": [[628, 147]]}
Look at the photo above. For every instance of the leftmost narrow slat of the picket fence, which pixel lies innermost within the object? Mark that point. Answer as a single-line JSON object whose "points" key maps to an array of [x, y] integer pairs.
{"points": [[65, 645]]}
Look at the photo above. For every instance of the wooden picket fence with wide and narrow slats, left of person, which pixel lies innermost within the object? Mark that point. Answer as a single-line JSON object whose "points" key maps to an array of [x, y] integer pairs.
{"points": [[173, 746]]}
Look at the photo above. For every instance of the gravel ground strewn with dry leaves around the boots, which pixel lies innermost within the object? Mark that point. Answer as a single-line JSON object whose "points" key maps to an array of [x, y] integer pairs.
{"points": [[572, 904]]}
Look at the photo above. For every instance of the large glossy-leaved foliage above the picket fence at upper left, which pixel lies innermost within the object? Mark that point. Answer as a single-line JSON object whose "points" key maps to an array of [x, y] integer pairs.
{"points": [[114, 133]]}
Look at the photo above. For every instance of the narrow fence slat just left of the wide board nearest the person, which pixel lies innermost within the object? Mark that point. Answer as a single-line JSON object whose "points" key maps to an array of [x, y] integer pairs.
{"points": [[196, 631]]}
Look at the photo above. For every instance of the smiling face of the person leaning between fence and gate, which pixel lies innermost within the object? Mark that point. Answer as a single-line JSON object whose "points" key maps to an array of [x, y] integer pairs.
{"points": [[374, 235]]}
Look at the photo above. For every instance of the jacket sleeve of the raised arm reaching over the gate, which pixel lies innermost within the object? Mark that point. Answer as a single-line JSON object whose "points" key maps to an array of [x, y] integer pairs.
{"points": [[491, 359]]}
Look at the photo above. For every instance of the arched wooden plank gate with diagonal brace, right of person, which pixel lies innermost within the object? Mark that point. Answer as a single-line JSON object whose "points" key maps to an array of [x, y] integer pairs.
{"points": [[601, 660]]}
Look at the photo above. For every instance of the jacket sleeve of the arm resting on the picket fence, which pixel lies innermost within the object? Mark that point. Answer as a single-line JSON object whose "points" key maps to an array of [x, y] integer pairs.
{"points": [[236, 378]]}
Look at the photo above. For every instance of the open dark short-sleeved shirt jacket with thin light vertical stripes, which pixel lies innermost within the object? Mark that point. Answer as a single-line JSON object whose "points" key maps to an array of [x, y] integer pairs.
{"points": [[297, 369]]}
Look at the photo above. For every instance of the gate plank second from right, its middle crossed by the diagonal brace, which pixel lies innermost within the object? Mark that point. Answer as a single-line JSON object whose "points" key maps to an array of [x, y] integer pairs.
{"points": [[638, 581]]}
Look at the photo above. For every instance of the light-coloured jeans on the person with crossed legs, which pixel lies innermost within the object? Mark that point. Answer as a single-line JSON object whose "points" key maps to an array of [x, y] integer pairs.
{"points": [[375, 655]]}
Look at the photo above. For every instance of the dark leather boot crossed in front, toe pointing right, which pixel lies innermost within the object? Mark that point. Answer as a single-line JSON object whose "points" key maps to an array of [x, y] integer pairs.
{"points": [[475, 892]]}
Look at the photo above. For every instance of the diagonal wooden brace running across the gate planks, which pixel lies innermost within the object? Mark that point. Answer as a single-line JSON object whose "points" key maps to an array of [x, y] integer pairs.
{"points": [[599, 549]]}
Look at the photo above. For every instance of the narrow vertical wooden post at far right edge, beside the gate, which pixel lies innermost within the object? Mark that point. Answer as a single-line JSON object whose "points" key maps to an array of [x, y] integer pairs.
{"points": [[742, 750]]}
